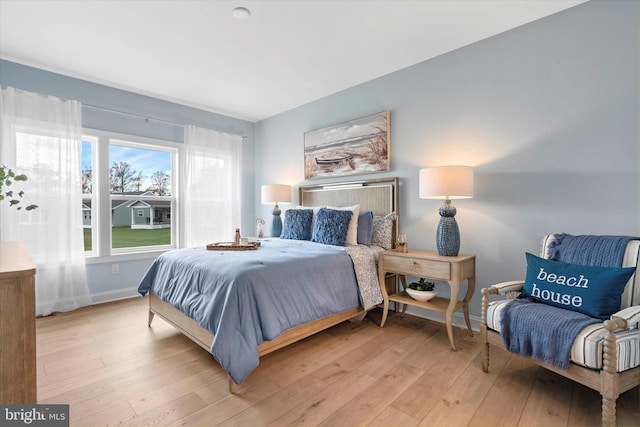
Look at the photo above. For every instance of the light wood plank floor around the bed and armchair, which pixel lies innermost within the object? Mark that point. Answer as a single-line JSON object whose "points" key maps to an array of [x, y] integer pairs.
{"points": [[113, 370]]}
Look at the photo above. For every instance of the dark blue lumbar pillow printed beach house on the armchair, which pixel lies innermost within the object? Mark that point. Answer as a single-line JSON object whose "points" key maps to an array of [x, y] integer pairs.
{"points": [[594, 291]]}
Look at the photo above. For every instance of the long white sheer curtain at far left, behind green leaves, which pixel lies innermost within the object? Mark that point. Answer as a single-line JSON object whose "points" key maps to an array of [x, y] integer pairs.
{"points": [[41, 137]]}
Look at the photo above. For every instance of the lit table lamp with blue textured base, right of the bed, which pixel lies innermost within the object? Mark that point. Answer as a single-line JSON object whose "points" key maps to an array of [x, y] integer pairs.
{"points": [[447, 182]]}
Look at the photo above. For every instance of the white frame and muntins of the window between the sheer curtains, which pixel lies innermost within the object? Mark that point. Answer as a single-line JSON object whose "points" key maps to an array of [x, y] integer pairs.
{"points": [[102, 250]]}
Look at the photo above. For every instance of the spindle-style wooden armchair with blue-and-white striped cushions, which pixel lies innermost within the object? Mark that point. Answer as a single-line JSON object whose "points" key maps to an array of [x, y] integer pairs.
{"points": [[605, 356]]}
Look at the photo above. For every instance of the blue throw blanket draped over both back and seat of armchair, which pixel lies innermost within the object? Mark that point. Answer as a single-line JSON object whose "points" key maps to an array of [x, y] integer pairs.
{"points": [[550, 341]]}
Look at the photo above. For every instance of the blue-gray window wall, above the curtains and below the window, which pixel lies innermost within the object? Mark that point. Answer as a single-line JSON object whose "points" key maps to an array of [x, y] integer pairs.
{"points": [[103, 283]]}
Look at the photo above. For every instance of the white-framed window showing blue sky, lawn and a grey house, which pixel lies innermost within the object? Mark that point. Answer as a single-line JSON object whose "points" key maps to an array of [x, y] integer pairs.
{"points": [[128, 193]]}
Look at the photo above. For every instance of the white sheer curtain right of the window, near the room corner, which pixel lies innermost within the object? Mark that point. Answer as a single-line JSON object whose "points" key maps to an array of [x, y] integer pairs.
{"points": [[210, 186]]}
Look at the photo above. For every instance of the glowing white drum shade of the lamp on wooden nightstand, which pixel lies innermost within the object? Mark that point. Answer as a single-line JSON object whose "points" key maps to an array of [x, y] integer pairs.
{"points": [[446, 182]]}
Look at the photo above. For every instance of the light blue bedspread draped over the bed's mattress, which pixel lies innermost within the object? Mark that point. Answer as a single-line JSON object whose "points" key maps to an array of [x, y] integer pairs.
{"points": [[247, 297]]}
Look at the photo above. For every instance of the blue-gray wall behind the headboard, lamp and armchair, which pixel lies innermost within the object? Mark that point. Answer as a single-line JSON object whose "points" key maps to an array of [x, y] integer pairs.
{"points": [[547, 114]]}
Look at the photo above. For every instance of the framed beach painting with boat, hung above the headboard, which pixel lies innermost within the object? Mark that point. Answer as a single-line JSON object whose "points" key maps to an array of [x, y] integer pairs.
{"points": [[358, 146]]}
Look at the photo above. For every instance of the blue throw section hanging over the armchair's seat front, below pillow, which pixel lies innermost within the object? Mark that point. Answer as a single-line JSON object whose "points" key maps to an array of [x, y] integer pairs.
{"points": [[549, 341]]}
